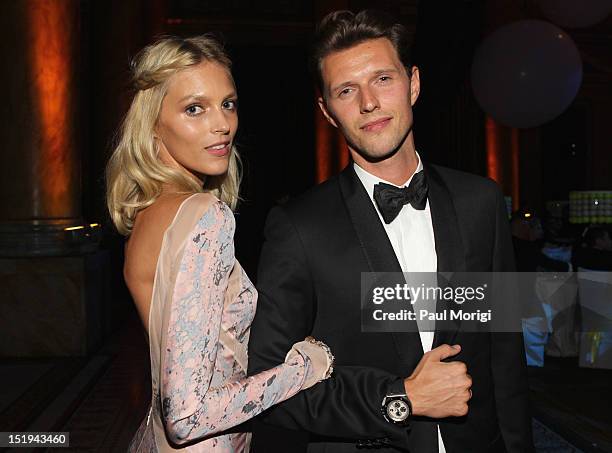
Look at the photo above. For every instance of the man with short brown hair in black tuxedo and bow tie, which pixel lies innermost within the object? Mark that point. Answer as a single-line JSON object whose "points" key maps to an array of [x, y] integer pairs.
{"points": [[421, 392]]}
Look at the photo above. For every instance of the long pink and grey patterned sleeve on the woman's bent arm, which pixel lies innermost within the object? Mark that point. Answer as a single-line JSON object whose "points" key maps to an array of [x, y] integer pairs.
{"points": [[191, 407]]}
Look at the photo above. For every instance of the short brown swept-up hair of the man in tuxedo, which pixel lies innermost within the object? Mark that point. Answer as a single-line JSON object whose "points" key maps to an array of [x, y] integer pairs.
{"points": [[341, 30]]}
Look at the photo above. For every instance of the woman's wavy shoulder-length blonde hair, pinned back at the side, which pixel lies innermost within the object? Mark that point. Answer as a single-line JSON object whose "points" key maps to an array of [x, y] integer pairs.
{"points": [[135, 175]]}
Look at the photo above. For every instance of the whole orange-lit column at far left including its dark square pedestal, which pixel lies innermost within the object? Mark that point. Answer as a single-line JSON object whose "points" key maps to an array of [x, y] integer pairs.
{"points": [[54, 284]]}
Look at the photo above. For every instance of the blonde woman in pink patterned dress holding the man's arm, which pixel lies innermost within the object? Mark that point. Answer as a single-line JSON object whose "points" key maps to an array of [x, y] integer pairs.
{"points": [[173, 181]]}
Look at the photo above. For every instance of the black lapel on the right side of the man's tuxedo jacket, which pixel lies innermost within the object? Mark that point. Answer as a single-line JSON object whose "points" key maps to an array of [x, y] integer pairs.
{"points": [[449, 246]]}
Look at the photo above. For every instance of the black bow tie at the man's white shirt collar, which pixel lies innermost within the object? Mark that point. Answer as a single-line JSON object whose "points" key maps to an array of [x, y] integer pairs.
{"points": [[391, 199]]}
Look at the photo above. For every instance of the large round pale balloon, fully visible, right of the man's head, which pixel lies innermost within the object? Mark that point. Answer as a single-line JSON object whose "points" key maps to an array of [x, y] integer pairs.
{"points": [[526, 73]]}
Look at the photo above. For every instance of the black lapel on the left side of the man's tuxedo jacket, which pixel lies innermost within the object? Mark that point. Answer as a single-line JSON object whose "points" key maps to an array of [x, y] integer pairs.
{"points": [[376, 247]]}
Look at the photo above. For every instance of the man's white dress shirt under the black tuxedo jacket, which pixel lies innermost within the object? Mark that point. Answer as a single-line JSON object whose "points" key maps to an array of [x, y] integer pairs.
{"points": [[412, 238]]}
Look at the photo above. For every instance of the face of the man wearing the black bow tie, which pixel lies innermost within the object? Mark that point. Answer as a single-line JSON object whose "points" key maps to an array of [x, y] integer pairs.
{"points": [[369, 95]]}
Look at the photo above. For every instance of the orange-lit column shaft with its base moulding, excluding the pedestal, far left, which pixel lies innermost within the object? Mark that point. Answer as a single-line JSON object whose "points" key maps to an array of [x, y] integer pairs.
{"points": [[40, 168]]}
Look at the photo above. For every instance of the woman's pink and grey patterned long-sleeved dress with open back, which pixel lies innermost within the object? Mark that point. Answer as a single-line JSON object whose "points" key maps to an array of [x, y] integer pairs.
{"points": [[202, 307]]}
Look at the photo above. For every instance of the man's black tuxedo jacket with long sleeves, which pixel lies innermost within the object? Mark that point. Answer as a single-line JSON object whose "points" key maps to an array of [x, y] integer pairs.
{"points": [[309, 284]]}
